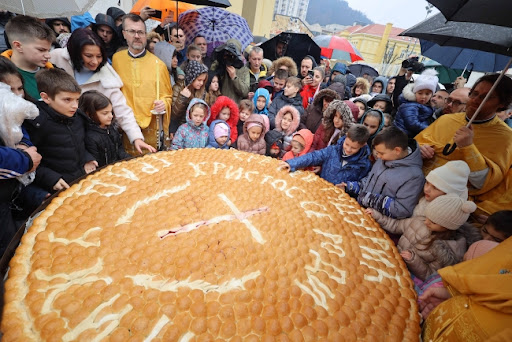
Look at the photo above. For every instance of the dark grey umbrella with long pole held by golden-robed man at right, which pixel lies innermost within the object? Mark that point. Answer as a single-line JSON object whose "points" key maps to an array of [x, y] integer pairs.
{"points": [[476, 36]]}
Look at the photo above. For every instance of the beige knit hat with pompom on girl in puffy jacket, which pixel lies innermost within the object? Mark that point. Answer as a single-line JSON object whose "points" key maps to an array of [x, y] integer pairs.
{"points": [[449, 211]]}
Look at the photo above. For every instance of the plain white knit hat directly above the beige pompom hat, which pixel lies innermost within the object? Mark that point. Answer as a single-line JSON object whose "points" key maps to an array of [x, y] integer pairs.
{"points": [[451, 178]]}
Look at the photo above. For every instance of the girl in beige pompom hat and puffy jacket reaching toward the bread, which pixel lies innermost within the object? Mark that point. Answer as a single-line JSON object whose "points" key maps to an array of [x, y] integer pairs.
{"points": [[429, 244]]}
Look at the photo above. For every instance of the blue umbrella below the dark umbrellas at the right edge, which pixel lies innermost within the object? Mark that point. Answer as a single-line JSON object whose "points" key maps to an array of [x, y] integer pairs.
{"points": [[459, 58]]}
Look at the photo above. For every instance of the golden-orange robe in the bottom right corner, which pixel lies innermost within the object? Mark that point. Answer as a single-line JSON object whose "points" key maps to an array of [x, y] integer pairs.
{"points": [[481, 303]]}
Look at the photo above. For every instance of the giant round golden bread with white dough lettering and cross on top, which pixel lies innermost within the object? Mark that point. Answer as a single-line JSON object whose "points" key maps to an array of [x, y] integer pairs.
{"points": [[206, 245]]}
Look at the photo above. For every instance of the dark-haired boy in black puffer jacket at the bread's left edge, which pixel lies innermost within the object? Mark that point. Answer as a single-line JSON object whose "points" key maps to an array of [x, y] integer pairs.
{"points": [[59, 132]]}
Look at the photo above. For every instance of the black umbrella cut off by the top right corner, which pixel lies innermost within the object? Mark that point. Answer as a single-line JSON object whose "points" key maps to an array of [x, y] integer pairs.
{"points": [[494, 12]]}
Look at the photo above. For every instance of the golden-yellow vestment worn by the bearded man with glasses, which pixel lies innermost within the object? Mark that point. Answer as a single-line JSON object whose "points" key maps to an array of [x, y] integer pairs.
{"points": [[139, 77]]}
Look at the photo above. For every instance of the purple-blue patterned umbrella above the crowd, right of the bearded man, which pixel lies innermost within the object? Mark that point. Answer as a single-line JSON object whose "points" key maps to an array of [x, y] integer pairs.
{"points": [[216, 25]]}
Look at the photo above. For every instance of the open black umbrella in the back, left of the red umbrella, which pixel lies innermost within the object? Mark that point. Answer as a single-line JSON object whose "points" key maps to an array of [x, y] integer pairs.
{"points": [[295, 45]]}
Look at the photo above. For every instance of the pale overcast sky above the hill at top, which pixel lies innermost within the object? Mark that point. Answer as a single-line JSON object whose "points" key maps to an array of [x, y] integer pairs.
{"points": [[402, 13]]}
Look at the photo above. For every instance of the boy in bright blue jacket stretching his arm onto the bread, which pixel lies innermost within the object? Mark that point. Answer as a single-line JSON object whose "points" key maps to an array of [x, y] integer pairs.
{"points": [[347, 161]]}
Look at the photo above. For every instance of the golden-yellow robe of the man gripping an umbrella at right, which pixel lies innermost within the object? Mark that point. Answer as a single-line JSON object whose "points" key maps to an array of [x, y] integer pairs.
{"points": [[491, 148]]}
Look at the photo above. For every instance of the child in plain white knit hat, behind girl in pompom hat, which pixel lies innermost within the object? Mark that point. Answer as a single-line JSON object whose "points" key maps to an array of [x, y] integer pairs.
{"points": [[451, 178]]}
